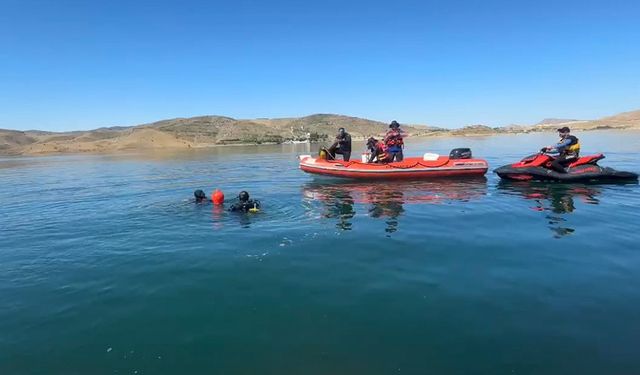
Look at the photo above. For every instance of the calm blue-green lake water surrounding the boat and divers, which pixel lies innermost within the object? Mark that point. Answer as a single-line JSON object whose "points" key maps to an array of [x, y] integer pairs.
{"points": [[108, 267]]}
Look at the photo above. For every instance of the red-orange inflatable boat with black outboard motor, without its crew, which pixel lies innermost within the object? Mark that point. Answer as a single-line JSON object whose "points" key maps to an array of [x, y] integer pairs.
{"points": [[430, 166]]}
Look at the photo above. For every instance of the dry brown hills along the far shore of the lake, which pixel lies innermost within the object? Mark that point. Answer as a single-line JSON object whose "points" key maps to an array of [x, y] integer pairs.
{"points": [[206, 131]]}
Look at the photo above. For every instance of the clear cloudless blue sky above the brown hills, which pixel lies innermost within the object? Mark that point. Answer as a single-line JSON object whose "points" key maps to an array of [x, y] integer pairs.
{"points": [[68, 65]]}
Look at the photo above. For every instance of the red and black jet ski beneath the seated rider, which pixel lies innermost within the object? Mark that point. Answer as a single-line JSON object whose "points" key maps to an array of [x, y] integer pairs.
{"points": [[586, 168]]}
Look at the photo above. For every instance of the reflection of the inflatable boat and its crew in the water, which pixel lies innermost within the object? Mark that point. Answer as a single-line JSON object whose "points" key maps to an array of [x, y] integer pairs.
{"points": [[336, 199]]}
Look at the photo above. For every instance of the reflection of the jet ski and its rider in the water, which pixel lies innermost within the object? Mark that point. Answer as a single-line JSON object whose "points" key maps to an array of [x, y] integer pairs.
{"points": [[556, 201]]}
